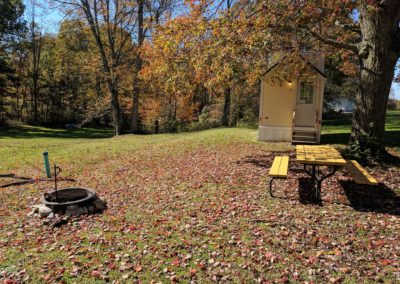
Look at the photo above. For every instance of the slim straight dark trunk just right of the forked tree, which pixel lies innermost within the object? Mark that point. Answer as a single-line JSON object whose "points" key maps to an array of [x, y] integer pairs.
{"points": [[138, 67]]}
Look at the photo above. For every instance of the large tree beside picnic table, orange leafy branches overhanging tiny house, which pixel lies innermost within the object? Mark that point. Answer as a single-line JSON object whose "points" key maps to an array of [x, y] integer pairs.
{"points": [[365, 32]]}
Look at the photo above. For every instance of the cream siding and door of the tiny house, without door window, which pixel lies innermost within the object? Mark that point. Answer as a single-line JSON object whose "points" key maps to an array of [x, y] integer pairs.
{"points": [[278, 101]]}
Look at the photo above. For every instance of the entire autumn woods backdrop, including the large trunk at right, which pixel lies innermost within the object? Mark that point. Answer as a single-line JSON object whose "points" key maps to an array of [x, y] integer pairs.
{"points": [[168, 65]]}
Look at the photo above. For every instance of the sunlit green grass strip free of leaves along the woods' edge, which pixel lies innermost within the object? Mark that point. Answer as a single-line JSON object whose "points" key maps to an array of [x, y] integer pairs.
{"points": [[22, 148]]}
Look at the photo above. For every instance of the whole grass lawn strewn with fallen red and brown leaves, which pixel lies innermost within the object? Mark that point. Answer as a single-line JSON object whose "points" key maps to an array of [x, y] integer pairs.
{"points": [[194, 206]]}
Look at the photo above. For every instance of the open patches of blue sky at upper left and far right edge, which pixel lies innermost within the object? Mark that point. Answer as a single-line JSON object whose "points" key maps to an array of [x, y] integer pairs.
{"points": [[51, 18]]}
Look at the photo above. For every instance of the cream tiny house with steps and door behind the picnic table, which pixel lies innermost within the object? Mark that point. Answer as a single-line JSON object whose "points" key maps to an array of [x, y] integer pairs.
{"points": [[291, 109]]}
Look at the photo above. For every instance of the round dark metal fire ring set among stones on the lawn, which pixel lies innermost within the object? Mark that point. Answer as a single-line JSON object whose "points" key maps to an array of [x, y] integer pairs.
{"points": [[67, 197]]}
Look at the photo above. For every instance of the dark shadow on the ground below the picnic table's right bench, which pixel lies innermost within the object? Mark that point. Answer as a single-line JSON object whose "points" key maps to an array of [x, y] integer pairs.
{"points": [[378, 199]]}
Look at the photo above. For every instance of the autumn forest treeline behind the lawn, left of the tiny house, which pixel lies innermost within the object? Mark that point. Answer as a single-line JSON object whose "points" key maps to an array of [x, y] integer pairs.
{"points": [[174, 66]]}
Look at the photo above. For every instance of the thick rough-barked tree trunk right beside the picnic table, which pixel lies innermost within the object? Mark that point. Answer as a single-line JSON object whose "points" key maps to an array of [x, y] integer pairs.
{"points": [[378, 56]]}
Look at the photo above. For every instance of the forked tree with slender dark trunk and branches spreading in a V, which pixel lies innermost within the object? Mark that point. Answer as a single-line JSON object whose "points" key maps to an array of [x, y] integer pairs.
{"points": [[111, 23]]}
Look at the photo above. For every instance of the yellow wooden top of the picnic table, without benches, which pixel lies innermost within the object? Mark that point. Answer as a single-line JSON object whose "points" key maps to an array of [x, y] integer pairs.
{"points": [[319, 155]]}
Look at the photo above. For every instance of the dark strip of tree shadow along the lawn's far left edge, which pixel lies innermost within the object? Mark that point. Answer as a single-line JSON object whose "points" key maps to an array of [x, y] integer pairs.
{"points": [[27, 132]]}
